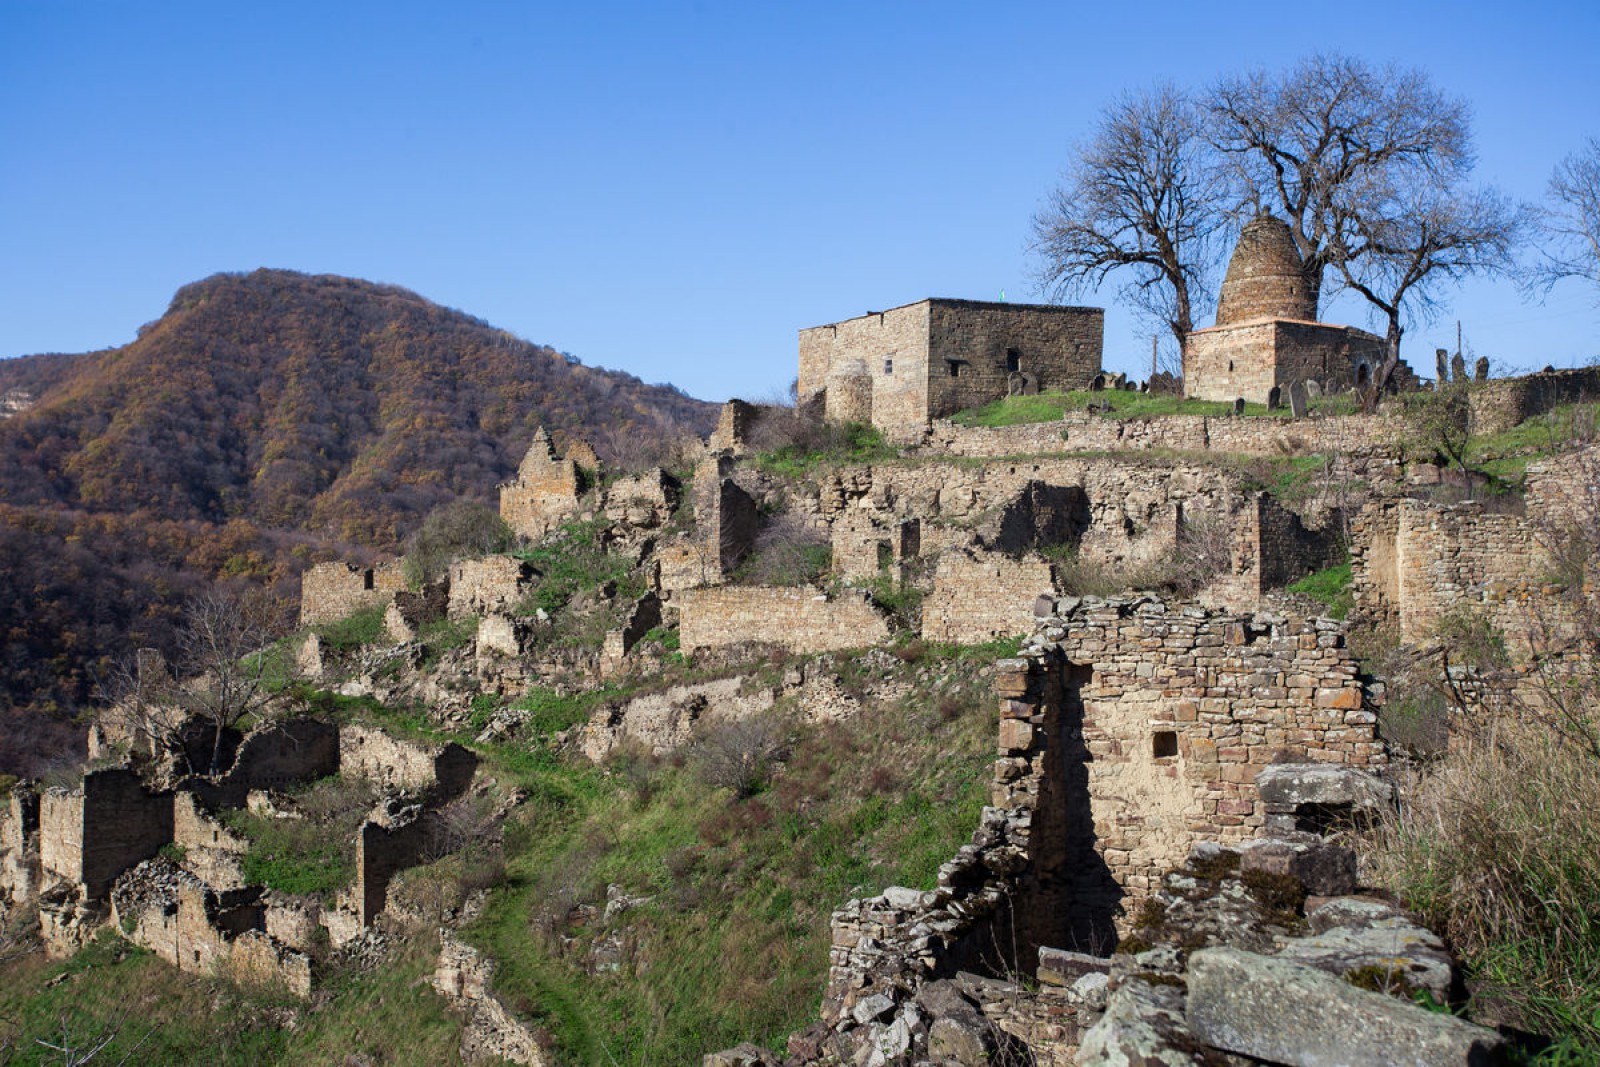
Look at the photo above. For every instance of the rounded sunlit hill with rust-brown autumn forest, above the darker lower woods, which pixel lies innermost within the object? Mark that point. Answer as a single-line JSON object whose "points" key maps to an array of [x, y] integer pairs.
{"points": [[306, 402]]}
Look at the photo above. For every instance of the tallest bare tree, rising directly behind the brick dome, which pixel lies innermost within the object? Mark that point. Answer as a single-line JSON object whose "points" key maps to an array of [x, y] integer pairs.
{"points": [[1305, 140]]}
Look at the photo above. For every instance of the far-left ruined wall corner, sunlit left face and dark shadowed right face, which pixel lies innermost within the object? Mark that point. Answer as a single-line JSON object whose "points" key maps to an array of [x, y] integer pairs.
{"points": [[102, 829]]}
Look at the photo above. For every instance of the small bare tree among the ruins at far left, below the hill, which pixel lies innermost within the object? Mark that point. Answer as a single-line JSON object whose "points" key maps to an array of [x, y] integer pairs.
{"points": [[222, 653]]}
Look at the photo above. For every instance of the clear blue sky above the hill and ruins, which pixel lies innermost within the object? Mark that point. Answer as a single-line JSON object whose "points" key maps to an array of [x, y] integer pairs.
{"points": [[670, 190]]}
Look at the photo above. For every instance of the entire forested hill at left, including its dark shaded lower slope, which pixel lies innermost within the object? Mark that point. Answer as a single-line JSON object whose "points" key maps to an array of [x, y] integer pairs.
{"points": [[265, 422]]}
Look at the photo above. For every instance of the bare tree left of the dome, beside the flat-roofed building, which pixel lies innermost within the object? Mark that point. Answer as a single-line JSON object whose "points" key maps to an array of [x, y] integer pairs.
{"points": [[1143, 198]]}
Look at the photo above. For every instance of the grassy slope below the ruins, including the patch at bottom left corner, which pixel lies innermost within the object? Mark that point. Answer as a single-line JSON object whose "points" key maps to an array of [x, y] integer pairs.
{"points": [[732, 945]]}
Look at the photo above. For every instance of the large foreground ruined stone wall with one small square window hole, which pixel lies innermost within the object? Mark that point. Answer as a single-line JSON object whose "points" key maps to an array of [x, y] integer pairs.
{"points": [[1172, 713]]}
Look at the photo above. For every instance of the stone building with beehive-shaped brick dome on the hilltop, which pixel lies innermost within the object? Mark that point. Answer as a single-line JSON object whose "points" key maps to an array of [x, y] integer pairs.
{"points": [[1266, 332]]}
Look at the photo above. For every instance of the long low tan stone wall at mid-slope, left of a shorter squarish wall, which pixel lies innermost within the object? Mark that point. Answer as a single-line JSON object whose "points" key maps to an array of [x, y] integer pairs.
{"points": [[802, 620]]}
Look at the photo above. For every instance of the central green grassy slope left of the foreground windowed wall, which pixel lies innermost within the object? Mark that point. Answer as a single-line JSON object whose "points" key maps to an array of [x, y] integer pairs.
{"points": [[734, 941]]}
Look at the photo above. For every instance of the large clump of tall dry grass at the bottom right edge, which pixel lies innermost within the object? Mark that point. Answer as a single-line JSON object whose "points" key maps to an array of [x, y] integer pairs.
{"points": [[1500, 852]]}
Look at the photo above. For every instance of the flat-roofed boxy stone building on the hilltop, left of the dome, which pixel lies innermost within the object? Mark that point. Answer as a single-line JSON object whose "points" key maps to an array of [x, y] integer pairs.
{"points": [[903, 367]]}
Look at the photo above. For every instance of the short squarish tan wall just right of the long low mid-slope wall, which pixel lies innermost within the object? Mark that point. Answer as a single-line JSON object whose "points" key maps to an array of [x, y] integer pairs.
{"points": [[982, 597]]}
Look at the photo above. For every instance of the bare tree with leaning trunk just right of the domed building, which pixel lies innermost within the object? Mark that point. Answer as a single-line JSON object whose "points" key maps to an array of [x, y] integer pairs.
{"points": [[1396, 239]]}
